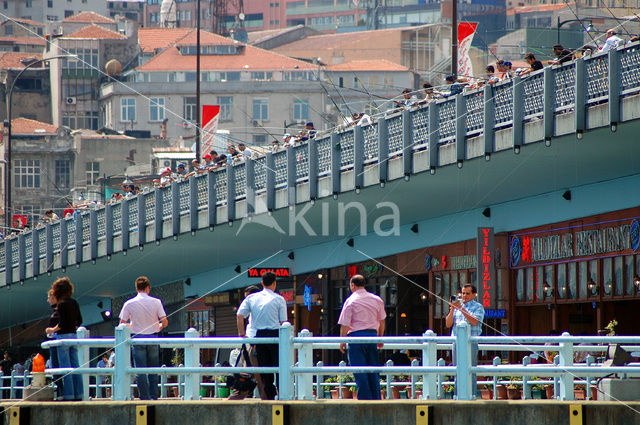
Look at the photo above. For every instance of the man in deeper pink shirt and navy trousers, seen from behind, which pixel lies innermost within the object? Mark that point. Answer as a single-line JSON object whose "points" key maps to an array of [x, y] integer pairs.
{"points": [[363, 315]]}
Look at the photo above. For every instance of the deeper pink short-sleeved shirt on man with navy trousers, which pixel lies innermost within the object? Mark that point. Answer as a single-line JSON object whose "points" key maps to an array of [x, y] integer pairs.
{"points": [[362, 310]]}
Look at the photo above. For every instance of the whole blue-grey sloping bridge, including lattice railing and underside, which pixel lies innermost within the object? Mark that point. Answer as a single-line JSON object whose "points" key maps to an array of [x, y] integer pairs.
{"points": [[515, 147]]}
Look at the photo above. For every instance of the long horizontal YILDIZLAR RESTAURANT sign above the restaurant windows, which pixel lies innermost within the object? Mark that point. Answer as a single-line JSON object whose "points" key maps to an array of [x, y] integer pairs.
{"points": [[583, 242]]}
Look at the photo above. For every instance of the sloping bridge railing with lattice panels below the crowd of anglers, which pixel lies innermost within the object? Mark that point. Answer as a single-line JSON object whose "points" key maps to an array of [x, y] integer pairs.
{"points": [[542, 95]]}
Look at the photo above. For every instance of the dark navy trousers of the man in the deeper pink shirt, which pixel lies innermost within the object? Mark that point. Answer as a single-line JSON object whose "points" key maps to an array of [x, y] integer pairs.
{"points": [[365, 355]]}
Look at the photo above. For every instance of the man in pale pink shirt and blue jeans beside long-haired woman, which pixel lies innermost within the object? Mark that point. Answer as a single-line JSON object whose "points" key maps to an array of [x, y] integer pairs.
{"points": [[146, 317]]}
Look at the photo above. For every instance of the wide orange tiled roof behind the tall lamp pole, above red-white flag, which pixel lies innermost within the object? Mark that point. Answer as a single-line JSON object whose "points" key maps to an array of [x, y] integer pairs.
{"points": [[249, 57]]}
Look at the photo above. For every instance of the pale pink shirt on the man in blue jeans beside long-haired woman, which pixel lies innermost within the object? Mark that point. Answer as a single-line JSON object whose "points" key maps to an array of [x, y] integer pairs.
{"points": [[144, 313]]}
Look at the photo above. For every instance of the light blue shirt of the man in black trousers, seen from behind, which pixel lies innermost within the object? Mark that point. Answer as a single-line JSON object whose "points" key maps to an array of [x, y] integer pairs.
{"points": [[267, 309]]}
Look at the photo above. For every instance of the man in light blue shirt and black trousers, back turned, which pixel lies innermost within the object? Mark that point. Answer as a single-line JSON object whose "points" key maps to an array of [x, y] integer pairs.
{"points": [[268, 311]]}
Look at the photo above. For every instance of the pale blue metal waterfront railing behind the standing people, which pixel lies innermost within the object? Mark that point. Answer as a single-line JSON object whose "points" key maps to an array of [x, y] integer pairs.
{"points": [[298, 376]]}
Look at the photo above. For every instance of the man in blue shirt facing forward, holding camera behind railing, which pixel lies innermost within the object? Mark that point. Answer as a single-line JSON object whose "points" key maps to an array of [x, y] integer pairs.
{"points": [[471, 312]]}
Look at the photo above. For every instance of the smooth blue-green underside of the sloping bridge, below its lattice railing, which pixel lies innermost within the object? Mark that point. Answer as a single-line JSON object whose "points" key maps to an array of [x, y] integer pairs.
{"points": [[599, 156]]}
